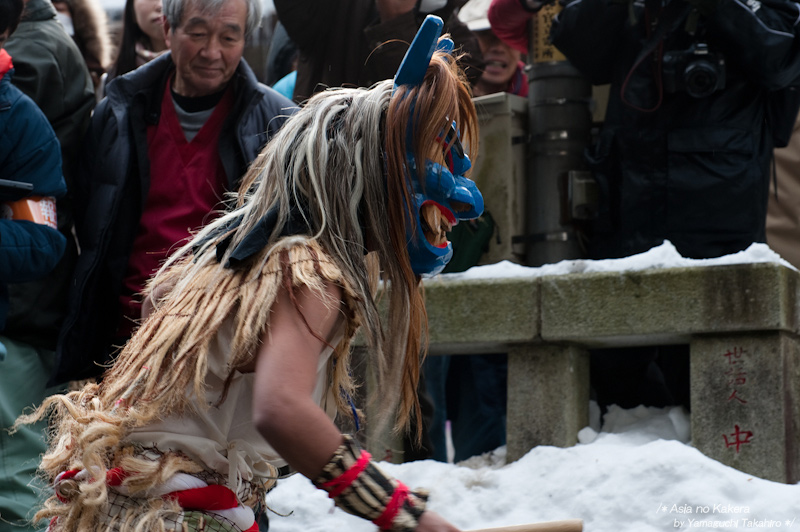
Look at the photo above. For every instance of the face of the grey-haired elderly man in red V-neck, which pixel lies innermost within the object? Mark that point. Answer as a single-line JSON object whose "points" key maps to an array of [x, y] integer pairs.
{"points": [[207, 47]]}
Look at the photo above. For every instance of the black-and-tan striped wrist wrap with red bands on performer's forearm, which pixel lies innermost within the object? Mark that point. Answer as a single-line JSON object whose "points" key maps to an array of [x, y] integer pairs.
{"points": [[360, 488]]}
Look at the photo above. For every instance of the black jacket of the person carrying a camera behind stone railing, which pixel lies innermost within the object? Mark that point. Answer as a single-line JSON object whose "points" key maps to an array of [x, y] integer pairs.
{"points": [[671, 166]]}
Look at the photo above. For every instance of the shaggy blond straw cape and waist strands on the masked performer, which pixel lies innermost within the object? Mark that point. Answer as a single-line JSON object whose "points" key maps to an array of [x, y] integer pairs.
{"points": [[162, 371]]}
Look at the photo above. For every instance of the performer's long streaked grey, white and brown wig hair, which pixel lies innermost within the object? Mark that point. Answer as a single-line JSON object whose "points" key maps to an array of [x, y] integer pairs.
{"points": [[343, 158]]}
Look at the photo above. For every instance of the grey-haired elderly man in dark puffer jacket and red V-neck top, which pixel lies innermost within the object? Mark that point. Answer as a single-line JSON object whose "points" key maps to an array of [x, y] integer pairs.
{"points": [[166, 144]]}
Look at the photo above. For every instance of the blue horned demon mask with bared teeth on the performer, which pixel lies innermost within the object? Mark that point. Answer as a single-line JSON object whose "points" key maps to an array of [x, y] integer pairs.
{"points": [[445, 192]]}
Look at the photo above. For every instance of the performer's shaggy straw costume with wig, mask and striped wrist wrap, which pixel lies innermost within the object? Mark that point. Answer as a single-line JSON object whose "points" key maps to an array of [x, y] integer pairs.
{"points": [[167, 441]]}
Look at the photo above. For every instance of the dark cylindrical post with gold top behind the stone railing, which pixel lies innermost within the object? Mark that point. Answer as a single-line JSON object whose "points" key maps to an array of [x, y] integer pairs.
{"points": [[559, 124]]}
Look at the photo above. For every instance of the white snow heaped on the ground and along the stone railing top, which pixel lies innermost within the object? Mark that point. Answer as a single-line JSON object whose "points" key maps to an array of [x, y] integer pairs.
{"points": [[638, 473]]}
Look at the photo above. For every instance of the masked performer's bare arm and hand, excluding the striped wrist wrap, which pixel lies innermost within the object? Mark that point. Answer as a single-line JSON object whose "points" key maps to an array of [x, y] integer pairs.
{"points": [[284, 411]]}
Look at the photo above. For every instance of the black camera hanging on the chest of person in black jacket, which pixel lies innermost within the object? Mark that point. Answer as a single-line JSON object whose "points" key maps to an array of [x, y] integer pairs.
{"points": [[695, 70]]}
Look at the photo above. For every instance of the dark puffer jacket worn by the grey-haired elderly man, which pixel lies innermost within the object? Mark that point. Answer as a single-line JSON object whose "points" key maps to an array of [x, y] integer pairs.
{"points": [[112, 186]]}
